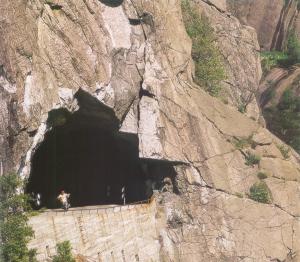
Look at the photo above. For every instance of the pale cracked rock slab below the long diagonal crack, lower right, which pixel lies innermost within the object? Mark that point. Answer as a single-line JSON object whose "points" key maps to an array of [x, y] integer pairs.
{"points": [[219, 227]]}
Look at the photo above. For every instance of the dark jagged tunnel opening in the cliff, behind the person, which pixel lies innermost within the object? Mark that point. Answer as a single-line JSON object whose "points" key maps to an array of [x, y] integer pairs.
{"points": [[85, 155]]}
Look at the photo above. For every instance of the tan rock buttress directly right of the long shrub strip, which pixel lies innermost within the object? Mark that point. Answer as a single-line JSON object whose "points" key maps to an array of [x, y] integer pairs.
{"points": [[239, 47]]}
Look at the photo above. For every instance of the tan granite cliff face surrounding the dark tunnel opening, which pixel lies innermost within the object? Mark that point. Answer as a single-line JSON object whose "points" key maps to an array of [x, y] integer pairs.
{"points": [[142, 73]]}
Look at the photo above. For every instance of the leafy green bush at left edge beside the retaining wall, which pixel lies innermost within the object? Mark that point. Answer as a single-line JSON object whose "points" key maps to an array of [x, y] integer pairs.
{"points": [[14, 230]]}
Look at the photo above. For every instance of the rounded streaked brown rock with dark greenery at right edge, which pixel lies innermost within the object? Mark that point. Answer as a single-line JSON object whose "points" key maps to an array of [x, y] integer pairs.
{"points": [[277, 84]]}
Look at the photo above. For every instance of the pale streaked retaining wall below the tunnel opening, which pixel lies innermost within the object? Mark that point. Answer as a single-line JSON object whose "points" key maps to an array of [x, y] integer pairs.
{"points": [[107, 234]]}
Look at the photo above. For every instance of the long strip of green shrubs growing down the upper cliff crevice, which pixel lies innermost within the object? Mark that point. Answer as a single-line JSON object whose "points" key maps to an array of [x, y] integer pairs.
{"points": [[209, 68]]}
